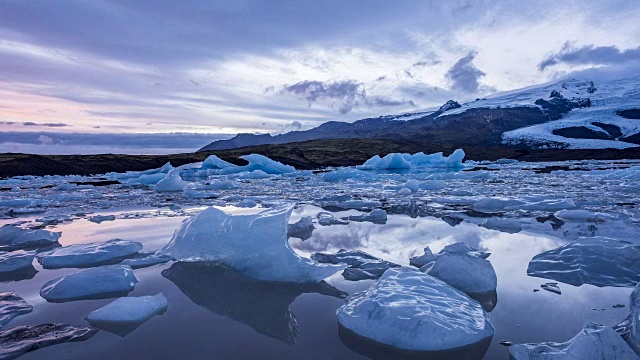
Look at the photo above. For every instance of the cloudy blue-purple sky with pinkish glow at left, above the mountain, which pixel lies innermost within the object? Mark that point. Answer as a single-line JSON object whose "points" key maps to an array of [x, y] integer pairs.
{"points": [[223, 67]]}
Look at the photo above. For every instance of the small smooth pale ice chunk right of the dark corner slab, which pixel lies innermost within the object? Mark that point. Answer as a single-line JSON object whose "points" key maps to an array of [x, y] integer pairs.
{"points": [[124, 315]]}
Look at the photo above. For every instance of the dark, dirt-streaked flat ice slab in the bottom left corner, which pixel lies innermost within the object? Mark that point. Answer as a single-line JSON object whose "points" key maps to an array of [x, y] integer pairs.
{"points": [[20, 340]]}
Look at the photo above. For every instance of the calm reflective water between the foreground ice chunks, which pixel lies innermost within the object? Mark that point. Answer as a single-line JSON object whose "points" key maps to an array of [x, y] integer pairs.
{"points": [[218, 313]]}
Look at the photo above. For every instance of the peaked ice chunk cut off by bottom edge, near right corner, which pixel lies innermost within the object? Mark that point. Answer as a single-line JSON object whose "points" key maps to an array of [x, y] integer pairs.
{"points": [[593, 342]]}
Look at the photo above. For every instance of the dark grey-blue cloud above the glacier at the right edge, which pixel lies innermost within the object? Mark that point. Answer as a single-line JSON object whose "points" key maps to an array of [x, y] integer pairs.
{"points": [[591, 55]]}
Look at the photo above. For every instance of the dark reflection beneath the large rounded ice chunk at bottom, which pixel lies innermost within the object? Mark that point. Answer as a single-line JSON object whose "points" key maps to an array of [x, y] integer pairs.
{"points": [[378, 351]]}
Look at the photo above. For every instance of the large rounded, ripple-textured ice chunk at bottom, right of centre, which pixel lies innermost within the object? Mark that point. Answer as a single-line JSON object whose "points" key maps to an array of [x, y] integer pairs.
{"points": [[410, 310]]}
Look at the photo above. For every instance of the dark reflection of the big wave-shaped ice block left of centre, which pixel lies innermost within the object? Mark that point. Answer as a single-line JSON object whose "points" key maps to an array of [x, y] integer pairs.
{"points": [[262, 305]]}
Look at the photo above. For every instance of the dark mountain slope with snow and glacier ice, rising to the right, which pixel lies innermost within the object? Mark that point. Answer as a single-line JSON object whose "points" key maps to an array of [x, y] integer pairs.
{"points": [[572, 113]]}
